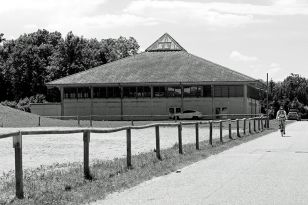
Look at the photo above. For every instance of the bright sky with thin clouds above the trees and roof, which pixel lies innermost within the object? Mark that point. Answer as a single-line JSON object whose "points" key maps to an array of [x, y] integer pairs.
{"points": [[254, 37]]}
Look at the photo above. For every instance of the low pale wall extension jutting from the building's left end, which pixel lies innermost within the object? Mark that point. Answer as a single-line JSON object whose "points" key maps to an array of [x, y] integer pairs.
{"points": [[46, 109]]}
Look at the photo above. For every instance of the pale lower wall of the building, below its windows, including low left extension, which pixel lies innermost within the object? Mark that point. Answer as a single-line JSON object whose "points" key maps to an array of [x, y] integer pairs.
{"points": [[111, 108]]}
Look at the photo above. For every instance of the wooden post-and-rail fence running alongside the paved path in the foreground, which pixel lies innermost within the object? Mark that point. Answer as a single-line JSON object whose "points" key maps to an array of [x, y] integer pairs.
{"points": [[258, 124]]}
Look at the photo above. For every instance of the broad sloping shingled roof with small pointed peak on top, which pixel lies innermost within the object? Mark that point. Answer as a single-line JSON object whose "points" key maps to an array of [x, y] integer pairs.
{"points": [[168, 64]]}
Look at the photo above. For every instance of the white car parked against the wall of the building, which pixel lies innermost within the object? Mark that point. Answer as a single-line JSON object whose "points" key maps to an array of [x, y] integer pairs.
{"points": [[176, 113]]}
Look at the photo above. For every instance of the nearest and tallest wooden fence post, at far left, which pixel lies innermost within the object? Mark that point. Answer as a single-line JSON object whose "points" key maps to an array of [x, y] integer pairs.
{"points": [[17, 145]]}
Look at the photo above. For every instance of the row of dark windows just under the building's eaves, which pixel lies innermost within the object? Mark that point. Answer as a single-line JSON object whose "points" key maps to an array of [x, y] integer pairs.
{"points": [[158, 91]]}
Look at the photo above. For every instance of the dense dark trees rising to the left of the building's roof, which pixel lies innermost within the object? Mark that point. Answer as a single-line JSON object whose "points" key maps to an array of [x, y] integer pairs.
{"points": [[30, 61]]}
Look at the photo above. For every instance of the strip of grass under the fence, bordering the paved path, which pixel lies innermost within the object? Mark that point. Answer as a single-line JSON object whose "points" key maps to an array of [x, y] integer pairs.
{"points": [[64, 183]]}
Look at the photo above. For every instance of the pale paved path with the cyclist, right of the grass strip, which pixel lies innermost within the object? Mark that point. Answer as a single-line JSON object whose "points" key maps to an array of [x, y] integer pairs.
{"points": [[268, 170]]}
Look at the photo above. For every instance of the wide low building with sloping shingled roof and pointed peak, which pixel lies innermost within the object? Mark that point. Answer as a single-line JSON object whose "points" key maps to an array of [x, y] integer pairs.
{"points": [[150, 83]]}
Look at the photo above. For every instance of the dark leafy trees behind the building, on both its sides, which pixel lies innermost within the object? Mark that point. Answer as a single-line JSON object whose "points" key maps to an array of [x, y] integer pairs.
{"points": [[33, 59]]}
